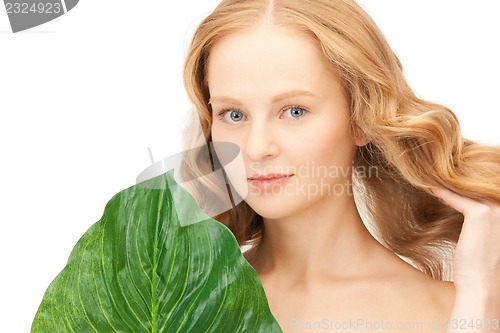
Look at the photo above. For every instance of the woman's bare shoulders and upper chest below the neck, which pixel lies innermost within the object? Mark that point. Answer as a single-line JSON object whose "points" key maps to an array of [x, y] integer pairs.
{"points": [[381, 288]]}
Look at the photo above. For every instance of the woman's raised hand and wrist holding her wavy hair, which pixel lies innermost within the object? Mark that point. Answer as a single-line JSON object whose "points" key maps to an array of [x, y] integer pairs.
{"points": [[476, 263]]}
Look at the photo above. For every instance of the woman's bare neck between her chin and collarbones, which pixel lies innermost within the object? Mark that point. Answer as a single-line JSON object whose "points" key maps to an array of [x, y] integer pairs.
{"points": [[329, 240]]}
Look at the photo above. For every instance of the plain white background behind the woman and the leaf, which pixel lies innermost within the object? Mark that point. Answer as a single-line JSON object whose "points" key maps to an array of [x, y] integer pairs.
{"points": [[83, 96]]}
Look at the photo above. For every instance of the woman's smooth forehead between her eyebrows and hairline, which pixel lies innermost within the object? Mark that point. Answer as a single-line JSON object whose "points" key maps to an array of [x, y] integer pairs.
{"points": [[267, 57]]}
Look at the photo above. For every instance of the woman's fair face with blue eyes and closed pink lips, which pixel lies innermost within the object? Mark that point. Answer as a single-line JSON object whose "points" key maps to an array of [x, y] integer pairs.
{"points": [[273, 95]]}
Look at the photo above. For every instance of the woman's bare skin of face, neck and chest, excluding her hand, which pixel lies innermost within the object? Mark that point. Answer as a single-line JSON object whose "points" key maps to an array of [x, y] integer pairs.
{"points": [[316, 260]]}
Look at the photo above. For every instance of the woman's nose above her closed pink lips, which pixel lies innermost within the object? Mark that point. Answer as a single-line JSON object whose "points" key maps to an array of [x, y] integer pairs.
{"points": [[261, 143]]}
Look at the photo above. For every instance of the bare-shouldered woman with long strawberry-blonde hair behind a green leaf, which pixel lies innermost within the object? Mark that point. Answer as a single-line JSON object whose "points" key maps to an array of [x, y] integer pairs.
{"points": [[329, 131]]}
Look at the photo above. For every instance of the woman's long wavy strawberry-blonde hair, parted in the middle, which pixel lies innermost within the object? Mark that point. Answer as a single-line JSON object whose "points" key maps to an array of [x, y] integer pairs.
{"points": [[414, 144]]}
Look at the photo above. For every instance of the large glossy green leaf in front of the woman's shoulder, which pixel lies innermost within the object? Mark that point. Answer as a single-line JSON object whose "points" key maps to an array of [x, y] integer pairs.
{"points": [[138, 270]]}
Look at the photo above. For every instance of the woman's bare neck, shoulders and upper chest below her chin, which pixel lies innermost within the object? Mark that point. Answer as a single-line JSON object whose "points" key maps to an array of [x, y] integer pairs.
{"points": [[347, 277]]}
